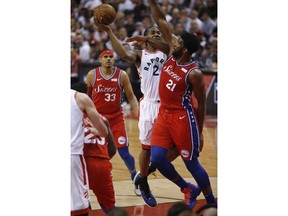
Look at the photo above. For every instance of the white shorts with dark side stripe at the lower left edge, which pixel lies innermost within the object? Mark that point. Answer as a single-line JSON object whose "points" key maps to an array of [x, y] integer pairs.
{"points": [[79, 184]]}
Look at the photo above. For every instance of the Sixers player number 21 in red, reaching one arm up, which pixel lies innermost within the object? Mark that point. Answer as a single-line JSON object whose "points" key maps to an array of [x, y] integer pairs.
{"points": [[176, 122]]}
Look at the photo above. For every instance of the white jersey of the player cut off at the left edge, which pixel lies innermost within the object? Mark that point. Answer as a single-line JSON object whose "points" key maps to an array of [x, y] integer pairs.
{"points": [[77, 126]]}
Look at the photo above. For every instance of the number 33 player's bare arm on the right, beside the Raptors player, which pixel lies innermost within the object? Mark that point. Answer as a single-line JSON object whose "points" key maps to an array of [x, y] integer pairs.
{"points": [[125, 83]]}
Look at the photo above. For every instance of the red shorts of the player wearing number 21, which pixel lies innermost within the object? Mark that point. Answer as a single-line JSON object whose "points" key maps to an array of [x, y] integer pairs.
{"points": [[178, 128]]}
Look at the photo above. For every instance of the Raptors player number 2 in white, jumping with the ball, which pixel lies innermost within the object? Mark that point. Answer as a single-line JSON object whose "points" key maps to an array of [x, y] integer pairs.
{"points": [[149, 63]]}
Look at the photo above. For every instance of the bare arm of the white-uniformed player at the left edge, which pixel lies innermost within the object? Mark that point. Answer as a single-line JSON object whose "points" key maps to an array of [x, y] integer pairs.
{"points": [[87, 106]]}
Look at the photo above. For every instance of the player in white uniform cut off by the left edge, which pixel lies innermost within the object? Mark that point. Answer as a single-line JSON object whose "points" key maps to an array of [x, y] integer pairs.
{"points": [[81, 104]]}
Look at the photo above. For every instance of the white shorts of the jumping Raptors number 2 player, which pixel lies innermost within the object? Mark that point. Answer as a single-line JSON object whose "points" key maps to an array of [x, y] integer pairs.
{"points": [[148, 114]]}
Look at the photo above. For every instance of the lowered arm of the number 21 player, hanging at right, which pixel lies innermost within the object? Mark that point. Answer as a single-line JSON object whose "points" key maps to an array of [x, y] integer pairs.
{"points": [[197, 81]]}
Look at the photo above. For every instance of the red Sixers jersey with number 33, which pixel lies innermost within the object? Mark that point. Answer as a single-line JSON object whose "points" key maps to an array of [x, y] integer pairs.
{"points": [[107, 93]]}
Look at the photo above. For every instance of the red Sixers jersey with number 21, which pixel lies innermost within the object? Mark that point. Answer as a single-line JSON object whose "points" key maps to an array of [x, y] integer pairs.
{"points": [[174, 91]]}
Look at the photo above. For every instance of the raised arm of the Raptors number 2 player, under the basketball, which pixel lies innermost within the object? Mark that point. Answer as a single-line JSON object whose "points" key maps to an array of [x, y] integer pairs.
{"points": [[130, 56]]}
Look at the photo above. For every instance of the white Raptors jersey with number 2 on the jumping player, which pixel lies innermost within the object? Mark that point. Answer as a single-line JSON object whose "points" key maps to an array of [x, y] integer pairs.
{"points": [[149, 73]]}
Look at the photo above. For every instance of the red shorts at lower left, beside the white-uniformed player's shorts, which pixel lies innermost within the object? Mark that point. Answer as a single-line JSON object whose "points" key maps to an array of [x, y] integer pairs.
{"points": [[100, 181]]}
